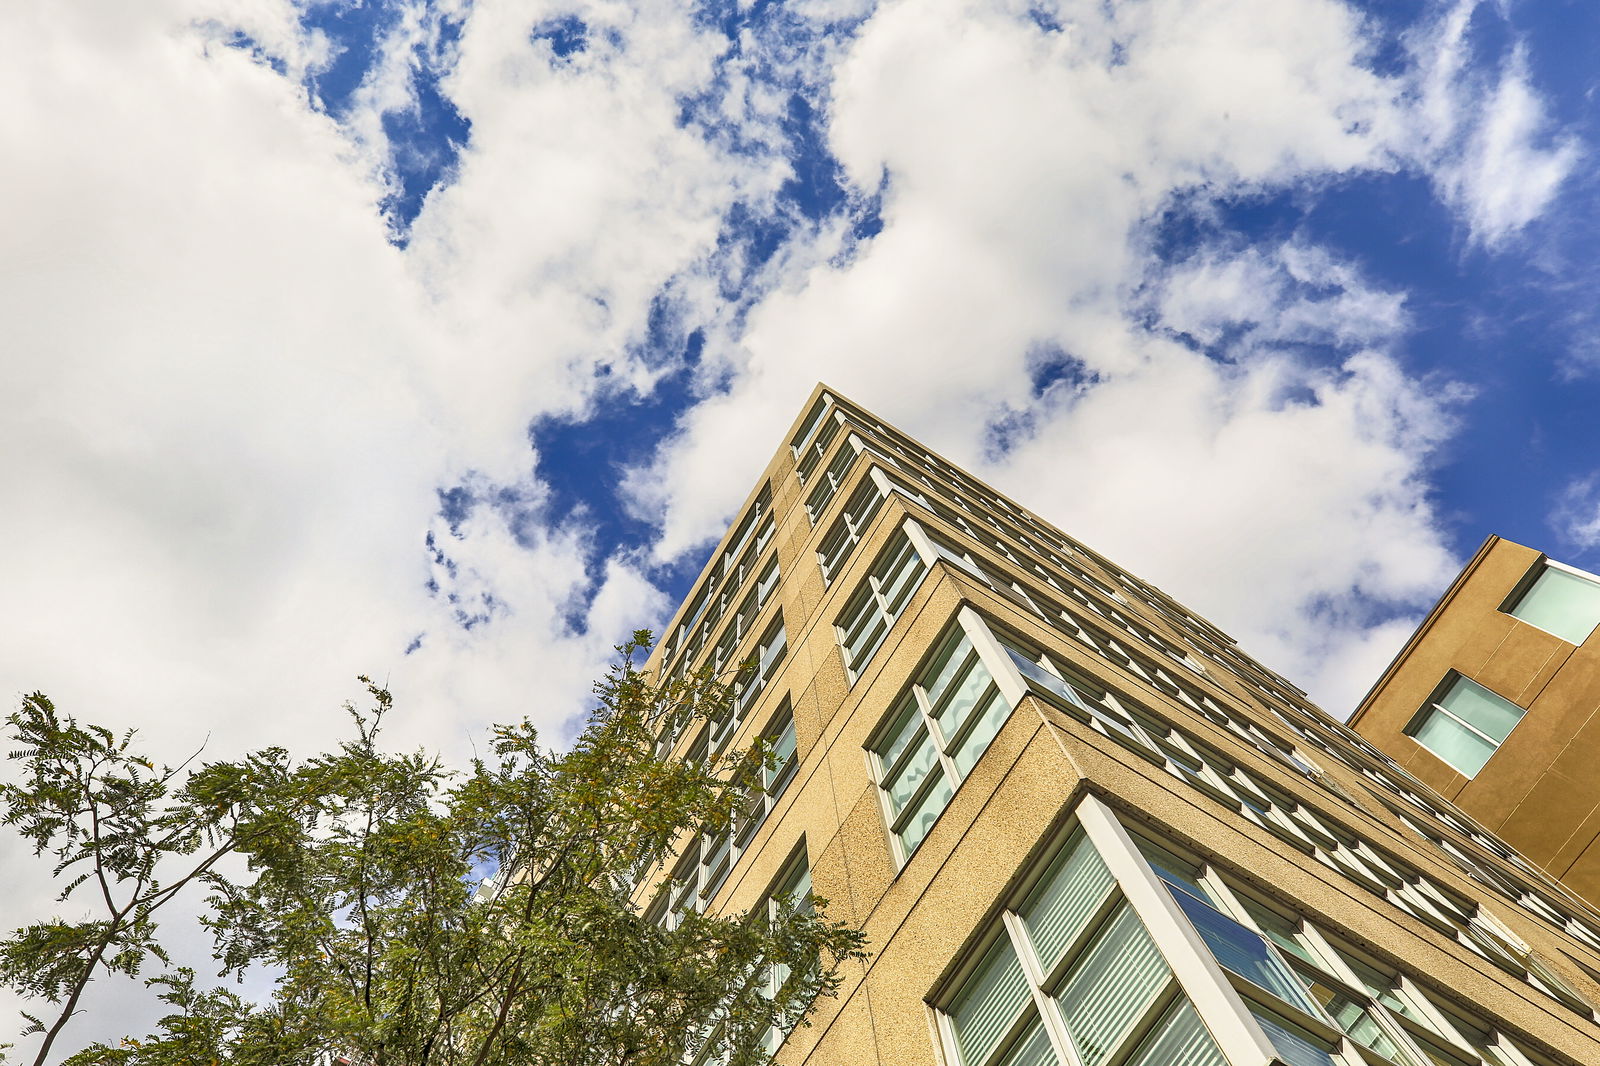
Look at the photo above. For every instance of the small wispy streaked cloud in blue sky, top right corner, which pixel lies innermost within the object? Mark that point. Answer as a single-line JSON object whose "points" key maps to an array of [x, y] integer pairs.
{"points": [[1486, 138]]}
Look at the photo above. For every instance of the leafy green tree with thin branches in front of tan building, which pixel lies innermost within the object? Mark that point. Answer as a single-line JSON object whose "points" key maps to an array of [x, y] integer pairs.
{"points": [[361, 896]]}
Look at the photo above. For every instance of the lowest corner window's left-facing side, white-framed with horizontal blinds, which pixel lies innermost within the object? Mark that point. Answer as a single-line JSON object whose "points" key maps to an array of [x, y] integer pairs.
{"points": [[1071, 977]]}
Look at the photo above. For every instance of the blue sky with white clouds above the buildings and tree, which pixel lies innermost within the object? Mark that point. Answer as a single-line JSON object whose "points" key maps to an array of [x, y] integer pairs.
{"points": [[441, 340]]}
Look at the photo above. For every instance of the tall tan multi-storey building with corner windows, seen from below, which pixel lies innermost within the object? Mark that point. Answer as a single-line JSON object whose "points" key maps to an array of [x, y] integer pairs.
{"points": [[1076, 822]]}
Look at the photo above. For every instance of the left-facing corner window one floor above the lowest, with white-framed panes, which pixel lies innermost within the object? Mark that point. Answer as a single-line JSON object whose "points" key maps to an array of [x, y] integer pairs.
{"points": [[934, 739]]}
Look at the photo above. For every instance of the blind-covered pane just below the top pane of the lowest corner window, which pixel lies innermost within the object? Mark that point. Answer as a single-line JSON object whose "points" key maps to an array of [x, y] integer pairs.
{"points": [[1111, 987]]}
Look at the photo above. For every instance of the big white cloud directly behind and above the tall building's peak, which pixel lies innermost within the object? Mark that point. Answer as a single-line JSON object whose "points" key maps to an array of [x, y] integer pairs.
{"points": [[1278, 481]]}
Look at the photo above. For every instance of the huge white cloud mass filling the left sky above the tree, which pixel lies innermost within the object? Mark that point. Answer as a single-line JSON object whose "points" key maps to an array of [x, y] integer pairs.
{"points": [[231, 399]]}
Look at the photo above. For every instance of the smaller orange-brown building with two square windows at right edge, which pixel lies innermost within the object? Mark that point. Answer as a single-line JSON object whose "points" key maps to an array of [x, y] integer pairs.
{"points": [[1494, 703]]}
